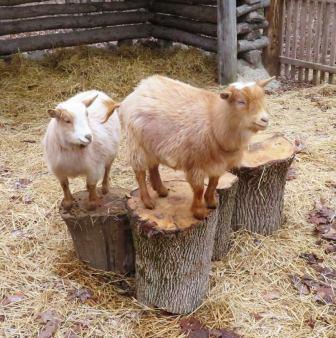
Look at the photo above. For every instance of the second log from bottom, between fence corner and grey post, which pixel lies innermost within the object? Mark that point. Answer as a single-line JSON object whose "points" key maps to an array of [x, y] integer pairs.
{"points": [[187, 25]]}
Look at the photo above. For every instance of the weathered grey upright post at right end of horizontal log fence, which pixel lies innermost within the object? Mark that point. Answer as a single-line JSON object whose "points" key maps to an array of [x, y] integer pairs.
{"points": [[227, 41]]}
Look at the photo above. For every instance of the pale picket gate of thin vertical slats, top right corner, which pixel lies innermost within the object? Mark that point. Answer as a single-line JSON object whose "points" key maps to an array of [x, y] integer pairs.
{"points": [[308, 40]]}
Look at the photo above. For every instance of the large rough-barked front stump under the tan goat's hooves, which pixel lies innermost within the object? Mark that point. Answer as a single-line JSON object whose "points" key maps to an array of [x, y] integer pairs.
{"points": [[173, 250]]}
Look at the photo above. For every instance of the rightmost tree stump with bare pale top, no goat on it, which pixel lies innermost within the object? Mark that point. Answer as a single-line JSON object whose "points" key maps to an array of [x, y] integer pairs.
{"points": [[262, 179]]}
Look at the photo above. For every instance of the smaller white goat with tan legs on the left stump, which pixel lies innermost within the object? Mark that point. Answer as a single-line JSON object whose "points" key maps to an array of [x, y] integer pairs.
{"points": [[78, 144]]}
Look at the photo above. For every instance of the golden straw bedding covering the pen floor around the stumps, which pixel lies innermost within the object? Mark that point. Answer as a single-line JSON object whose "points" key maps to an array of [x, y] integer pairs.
{"points": [[251, 290]]}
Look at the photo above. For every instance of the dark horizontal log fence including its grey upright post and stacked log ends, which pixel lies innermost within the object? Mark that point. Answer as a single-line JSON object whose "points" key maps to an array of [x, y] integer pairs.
{"points": [[27, 25]]}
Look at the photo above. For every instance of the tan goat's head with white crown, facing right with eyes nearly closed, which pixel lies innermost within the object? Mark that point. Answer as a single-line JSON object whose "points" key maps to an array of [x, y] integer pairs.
{"points": [[248, 104]]}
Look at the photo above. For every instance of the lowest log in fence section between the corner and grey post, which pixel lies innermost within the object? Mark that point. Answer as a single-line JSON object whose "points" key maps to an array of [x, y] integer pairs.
{"points": [[177, 35]]}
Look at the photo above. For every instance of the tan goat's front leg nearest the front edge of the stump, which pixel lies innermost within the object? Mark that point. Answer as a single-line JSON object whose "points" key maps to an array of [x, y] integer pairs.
{"points": [[197, 184]]}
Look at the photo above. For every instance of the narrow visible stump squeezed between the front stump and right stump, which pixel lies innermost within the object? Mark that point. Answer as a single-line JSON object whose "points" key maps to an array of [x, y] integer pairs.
{"points": [[226, 190]]}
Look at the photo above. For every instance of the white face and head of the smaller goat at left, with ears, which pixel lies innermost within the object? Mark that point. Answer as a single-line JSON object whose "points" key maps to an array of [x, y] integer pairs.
{"points": [[72, 120]]}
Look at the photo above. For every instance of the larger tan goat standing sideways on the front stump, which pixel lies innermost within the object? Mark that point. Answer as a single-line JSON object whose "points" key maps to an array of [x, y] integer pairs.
{"points": [[186, 128]]}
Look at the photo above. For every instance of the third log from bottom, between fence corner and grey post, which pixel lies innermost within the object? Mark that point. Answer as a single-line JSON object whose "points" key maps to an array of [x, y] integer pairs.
{"points": [[201, 13]]}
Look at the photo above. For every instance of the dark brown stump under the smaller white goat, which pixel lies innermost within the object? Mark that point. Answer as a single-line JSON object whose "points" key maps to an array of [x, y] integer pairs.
{"points": [[102, 238]]}
